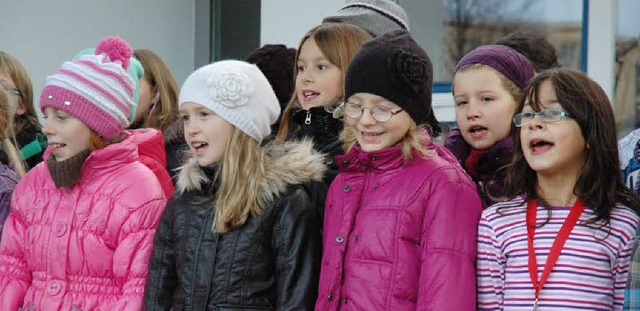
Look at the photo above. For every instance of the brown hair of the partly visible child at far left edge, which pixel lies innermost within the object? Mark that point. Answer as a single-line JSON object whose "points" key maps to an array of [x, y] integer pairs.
{"points": [[12, 67]]}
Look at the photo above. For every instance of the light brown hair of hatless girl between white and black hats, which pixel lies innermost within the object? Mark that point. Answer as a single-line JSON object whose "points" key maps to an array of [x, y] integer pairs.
{"points": [[339, 43]]}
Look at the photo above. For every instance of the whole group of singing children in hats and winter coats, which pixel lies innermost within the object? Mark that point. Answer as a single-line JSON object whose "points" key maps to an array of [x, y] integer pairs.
{"points": [[350, 205]]}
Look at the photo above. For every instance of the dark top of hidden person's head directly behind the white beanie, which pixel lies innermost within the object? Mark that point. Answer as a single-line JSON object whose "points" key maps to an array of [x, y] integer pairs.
{"points": [[277, 63]]}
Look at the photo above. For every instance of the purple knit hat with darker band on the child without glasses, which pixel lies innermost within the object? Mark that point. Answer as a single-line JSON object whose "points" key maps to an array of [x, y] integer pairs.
{"points": [[503, 59]]}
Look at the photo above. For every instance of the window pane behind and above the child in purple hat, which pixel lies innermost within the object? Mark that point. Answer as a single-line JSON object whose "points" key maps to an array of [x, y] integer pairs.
{"points": [[448, 29]]}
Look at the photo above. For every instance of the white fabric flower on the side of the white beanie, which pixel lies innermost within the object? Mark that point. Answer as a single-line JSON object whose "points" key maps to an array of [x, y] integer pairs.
{"points": [[231, 88]]}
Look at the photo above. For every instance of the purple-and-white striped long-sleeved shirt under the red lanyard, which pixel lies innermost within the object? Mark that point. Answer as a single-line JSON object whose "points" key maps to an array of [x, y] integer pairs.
{"points": [[590, 274]]}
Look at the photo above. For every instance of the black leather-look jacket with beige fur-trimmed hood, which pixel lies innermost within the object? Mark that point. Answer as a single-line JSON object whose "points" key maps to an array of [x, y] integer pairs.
{"points": [[271, 262]]}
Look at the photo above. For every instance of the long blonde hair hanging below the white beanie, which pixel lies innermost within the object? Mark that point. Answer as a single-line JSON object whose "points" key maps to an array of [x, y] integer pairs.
{"points": [[241, 172]]}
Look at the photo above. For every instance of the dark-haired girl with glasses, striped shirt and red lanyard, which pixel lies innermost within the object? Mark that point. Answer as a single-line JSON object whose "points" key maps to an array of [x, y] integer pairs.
{"points": [[564, 240]]}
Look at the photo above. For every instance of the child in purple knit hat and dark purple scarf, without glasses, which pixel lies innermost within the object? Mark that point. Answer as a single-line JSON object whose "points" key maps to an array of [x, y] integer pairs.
{"points": [[487, 84]]}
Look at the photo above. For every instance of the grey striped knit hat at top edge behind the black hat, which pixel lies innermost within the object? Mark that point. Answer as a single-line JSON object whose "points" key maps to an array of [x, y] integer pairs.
{"points": [[376, 16]]}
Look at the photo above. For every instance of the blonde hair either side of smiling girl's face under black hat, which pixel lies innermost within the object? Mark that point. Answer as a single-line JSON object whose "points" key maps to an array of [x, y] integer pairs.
{"points": [[414, 139]]}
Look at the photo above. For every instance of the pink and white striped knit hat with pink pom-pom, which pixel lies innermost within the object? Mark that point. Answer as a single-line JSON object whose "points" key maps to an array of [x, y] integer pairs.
{"points": [[96, 89]]}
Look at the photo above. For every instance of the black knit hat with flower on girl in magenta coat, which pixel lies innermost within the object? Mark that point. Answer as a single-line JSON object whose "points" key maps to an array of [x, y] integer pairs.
{"points": [[395, 67]]}
